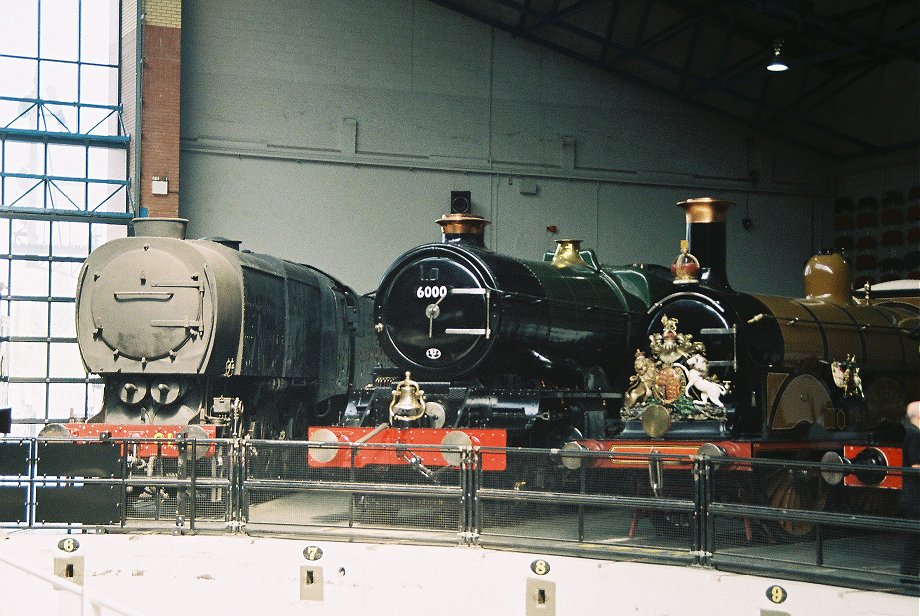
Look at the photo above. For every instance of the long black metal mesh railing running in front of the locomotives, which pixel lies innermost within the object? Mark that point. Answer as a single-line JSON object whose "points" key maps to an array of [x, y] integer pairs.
{"points": [[759, 516]]}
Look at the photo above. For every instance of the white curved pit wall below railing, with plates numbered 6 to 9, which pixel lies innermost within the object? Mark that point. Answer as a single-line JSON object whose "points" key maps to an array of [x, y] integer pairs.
{"points": [[227, 575]]}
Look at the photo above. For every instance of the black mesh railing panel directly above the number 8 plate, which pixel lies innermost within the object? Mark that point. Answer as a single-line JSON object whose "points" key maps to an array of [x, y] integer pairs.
{"points": [[589, 498]]}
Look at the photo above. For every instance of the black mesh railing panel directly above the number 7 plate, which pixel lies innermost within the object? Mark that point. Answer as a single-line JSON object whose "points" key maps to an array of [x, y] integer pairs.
{"points": [[285, 486]]}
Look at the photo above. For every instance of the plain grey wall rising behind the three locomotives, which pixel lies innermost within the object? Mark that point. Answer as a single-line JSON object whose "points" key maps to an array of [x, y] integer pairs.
{"points": [[332, 133]]}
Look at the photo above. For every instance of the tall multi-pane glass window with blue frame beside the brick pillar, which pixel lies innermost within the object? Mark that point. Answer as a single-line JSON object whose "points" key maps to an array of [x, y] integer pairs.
{"points": [[63, 191]]}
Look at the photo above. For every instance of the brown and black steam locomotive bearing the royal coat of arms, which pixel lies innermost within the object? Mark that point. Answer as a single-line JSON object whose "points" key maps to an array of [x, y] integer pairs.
{"points": [[735, 375]]}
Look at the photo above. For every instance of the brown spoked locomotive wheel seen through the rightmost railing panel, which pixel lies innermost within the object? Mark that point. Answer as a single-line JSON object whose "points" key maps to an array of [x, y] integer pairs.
{"points": [[795, 489]]}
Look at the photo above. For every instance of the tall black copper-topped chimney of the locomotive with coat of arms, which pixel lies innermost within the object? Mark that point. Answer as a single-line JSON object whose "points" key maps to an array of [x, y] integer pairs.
{"points": [[706, 237]]}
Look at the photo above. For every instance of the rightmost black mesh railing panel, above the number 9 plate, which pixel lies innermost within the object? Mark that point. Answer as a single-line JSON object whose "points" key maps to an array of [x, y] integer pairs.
{"points": [[802, 516]]}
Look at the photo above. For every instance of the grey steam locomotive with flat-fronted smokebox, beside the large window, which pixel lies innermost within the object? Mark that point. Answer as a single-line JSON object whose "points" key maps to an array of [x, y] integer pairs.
{"points": [[197, 337]]}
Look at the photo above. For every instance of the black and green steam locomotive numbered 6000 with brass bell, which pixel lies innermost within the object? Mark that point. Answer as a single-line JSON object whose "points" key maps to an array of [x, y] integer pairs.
{"points": [[506, 351]]}
